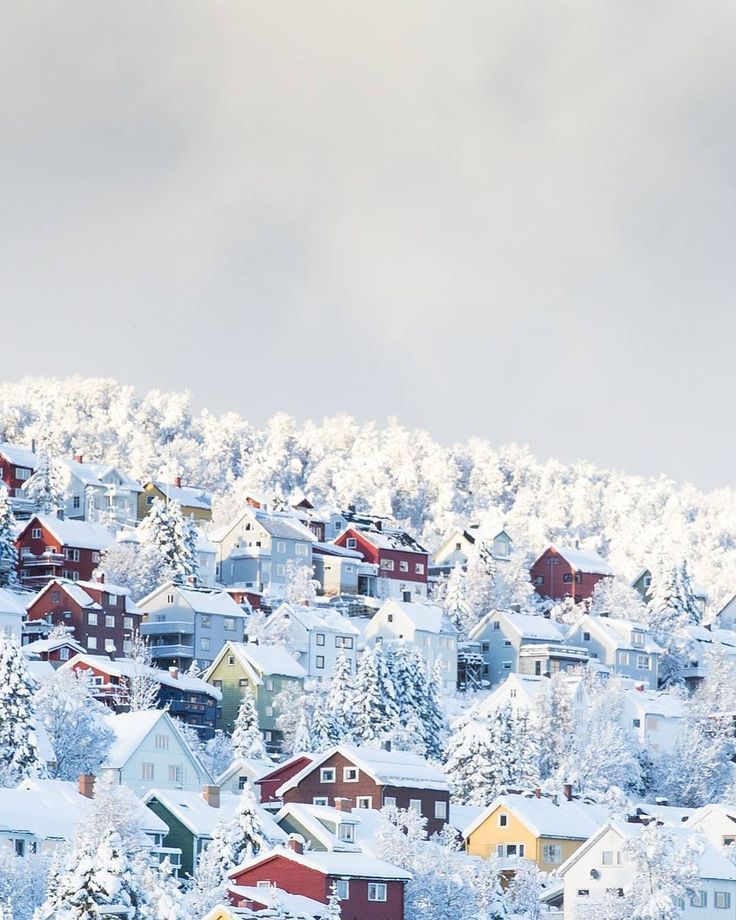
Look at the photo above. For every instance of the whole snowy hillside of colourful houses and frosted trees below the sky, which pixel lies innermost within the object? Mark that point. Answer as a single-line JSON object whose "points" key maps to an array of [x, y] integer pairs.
{"points": [[238, 696]]}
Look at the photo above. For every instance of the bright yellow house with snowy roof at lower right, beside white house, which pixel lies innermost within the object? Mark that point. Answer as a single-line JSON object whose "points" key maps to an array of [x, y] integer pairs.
{"points": [[545, 829]]}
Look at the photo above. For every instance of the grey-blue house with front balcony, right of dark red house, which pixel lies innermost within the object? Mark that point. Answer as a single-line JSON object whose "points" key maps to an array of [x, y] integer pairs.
{"points": [[186, 623]]}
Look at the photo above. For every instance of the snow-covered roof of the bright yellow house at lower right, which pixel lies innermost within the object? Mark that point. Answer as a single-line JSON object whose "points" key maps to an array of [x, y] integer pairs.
{"points": [[547, 816]]}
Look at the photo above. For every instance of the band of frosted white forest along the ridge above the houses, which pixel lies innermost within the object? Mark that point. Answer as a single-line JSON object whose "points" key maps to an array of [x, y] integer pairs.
{"points": [[404, 474]]}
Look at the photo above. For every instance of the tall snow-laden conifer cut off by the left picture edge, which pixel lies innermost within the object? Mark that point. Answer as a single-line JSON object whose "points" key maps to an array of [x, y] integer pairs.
{"points": [[18, 753]]}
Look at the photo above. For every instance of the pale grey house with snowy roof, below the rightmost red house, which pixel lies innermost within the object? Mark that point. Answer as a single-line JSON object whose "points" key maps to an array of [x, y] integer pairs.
{"points": [[621, 645]]}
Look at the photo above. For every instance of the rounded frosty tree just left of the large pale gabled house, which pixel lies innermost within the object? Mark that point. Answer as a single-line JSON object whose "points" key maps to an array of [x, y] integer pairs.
{"points": [[73, 721]]}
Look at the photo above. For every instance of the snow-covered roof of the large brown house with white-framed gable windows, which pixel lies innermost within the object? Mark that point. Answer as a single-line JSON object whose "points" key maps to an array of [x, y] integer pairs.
{"points": [[387, 768]]}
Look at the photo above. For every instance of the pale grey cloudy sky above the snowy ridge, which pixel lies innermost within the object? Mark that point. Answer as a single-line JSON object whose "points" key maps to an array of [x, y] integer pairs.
{"points": [[510, 220]]}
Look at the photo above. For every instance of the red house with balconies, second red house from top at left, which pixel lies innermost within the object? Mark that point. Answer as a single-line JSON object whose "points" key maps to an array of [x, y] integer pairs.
{"points": [[49, 547]]}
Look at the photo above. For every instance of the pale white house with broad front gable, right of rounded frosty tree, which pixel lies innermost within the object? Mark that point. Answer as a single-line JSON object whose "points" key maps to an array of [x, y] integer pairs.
{"points": [[149, 752]]}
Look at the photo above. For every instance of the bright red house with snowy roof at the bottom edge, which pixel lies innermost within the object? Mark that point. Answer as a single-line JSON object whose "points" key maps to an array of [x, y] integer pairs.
{"points": [[368, 888]]}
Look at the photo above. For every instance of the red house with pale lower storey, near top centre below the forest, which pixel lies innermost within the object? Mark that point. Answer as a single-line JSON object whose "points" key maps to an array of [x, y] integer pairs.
{"points": [[402, 563]]}
